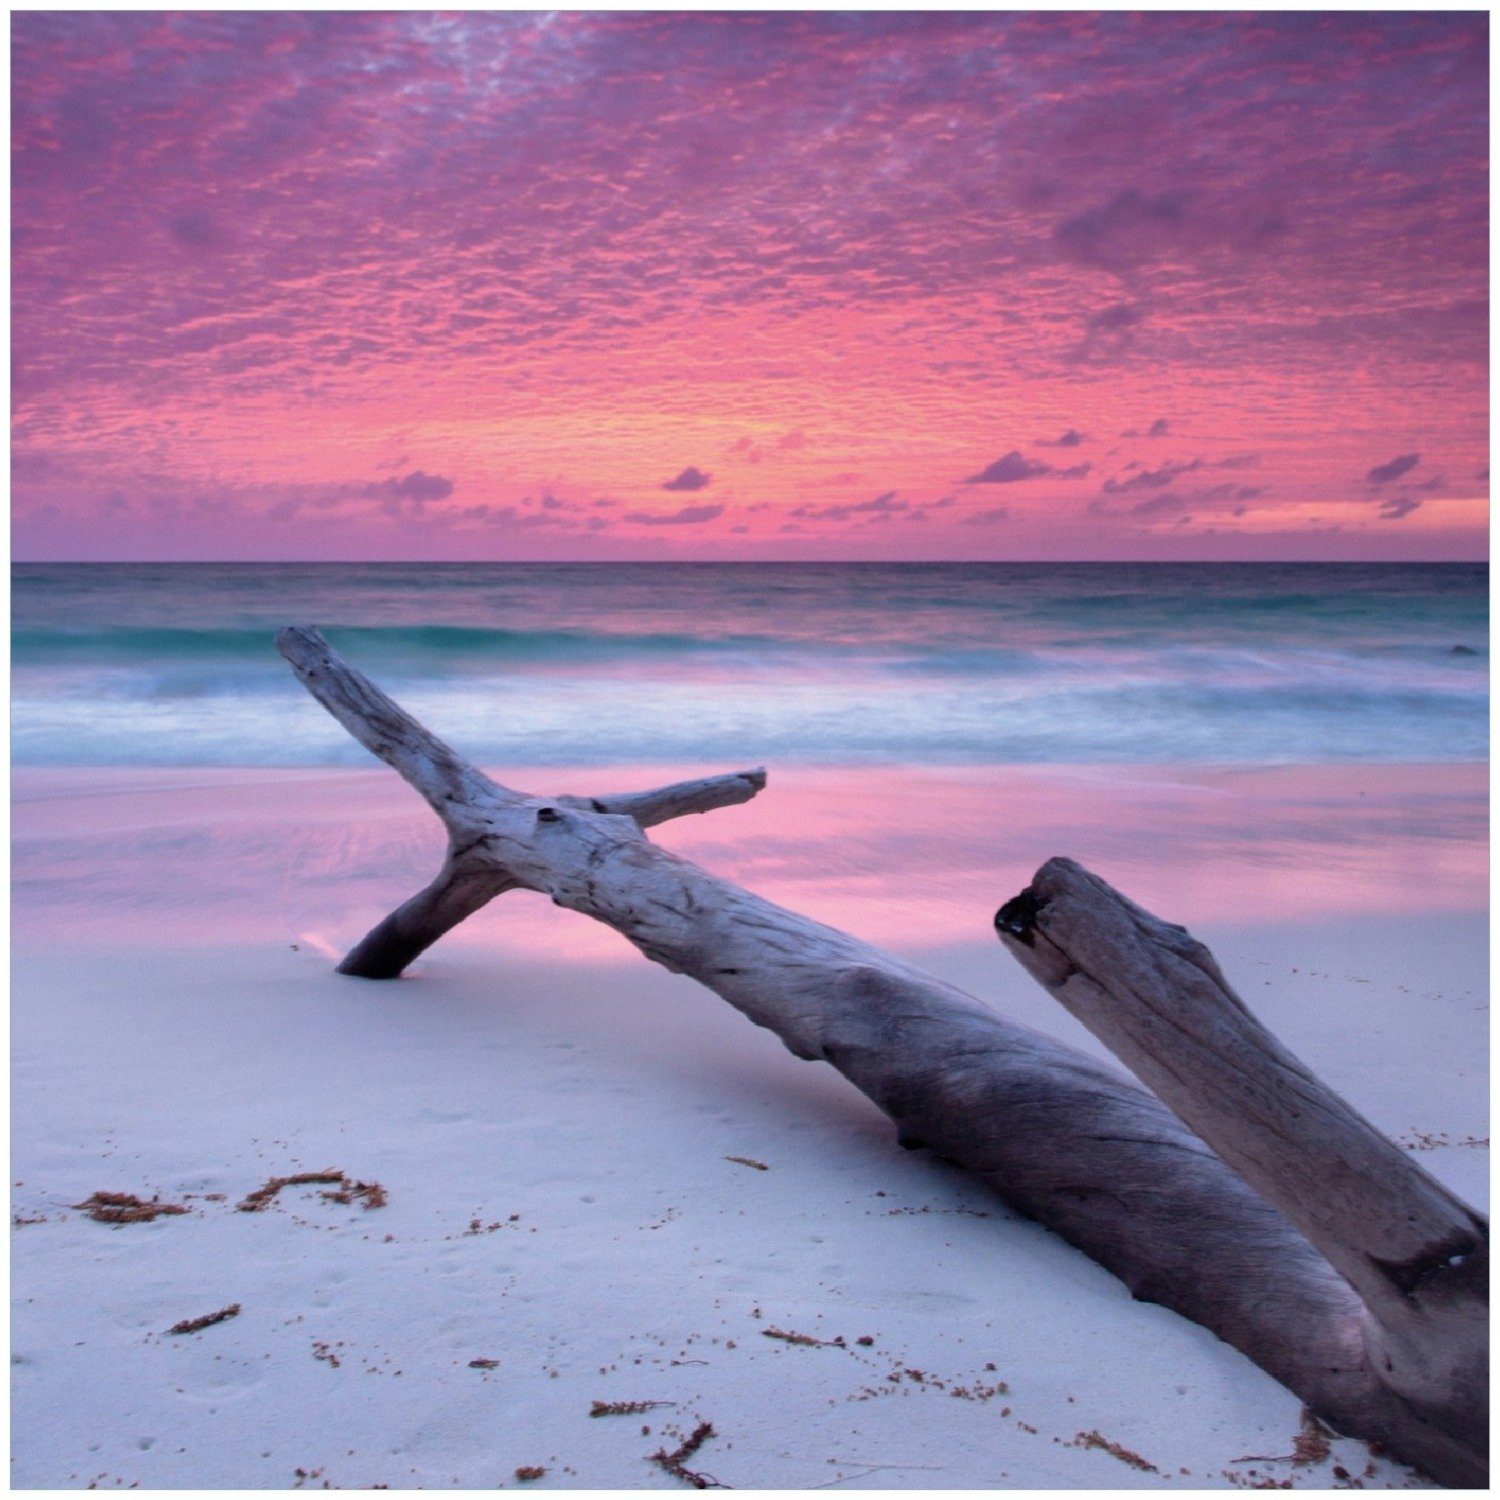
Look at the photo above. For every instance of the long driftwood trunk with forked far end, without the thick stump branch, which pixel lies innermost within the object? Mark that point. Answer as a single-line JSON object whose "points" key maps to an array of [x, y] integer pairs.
{"points": [[1063, 1138]]}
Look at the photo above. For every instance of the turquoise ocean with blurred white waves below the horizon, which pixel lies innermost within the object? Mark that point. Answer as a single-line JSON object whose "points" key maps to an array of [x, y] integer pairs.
{"points": [[983, 664]]}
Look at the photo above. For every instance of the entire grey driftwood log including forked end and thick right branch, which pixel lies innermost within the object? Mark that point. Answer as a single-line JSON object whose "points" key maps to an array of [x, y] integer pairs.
{"points": [[1303, 1238]]}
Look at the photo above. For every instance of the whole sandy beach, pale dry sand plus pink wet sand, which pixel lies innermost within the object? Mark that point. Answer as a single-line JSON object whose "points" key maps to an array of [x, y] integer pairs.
{"points": [[179, 1031]]}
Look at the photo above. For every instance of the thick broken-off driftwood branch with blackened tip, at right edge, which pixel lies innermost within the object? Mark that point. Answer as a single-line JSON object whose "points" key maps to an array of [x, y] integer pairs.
{"points": [[1415, 1253]]}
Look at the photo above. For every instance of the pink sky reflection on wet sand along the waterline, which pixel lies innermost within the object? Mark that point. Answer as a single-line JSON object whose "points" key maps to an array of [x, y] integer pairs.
{"points": [[907, 859]]}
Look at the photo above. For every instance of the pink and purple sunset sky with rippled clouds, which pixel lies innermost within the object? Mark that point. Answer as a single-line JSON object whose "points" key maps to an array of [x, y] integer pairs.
{"points": [[794, 286]]}
